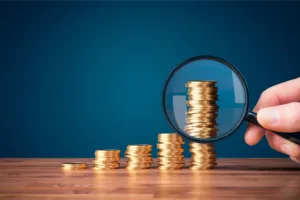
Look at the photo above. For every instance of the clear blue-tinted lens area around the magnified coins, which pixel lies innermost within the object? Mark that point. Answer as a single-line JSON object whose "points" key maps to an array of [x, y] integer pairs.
{"points": [[231, 93]]}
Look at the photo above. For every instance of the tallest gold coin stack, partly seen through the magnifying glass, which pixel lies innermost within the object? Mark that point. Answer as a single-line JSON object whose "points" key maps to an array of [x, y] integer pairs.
{"points": [[201, 122]]}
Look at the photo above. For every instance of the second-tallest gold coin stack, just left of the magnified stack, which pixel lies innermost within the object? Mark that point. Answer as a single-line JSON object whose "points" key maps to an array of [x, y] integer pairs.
{"points": [[170, 151]]}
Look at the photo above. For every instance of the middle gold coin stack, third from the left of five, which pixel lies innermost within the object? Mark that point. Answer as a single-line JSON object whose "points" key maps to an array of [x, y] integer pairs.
{"points": [[139, 156]]}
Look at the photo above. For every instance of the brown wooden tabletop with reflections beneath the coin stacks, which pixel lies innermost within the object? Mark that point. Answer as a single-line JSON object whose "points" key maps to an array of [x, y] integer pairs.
{"points": [[233, 178]]}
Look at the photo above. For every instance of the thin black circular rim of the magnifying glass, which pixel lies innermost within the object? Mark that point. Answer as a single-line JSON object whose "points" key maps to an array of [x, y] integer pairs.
{"points": [[246, 96]]}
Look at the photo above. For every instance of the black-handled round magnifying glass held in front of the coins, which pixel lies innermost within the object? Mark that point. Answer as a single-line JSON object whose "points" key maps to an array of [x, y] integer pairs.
{"points": [[207, 94]]}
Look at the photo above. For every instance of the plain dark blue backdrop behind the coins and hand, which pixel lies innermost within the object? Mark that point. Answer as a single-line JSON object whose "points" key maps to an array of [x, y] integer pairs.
{"points": [[77, 76]]}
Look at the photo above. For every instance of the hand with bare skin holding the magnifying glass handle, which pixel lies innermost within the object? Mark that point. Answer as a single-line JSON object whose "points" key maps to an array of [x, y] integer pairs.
{"points": [[278, 109]]}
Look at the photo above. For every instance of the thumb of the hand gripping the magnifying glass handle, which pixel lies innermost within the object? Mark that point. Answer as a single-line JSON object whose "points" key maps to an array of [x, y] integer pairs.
{"points": [[282, 118]]}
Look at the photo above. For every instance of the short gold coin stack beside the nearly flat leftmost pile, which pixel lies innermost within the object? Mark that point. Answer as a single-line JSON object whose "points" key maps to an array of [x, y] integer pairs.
{"points": [[107, 159]]}
